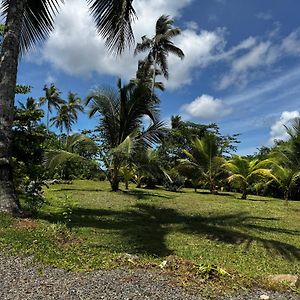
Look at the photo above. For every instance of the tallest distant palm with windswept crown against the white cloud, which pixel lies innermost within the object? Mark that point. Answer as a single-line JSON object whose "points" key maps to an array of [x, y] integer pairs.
{"points": [[160, 45]]}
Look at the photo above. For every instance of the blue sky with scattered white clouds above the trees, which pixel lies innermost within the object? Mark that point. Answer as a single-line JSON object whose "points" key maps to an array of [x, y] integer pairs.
{"points": [[241, 67]]}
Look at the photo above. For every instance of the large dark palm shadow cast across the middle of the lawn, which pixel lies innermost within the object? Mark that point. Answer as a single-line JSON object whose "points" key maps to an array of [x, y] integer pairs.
{"points": [[143, 228]]}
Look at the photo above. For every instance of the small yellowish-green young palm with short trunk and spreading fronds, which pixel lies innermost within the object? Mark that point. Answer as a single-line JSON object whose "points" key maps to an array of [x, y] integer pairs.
{"points": [[243, 171]]}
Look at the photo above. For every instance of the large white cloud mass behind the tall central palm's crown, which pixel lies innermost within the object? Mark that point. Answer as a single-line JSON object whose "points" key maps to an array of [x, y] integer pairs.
{"points": [[75, 48]]}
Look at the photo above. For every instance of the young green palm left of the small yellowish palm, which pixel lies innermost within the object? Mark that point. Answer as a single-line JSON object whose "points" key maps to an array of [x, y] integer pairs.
{"points": [[203, 162]]}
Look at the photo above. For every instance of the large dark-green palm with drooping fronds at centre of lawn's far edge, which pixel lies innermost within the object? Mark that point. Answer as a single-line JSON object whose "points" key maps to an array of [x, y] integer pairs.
{"points": [[121, 112]]}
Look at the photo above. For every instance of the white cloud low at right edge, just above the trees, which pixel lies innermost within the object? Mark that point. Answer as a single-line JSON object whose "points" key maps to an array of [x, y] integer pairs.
{"points": [[278, 131]]}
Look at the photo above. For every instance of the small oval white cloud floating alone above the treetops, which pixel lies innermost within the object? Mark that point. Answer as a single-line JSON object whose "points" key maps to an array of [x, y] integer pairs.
{"points": [[206, 107]]}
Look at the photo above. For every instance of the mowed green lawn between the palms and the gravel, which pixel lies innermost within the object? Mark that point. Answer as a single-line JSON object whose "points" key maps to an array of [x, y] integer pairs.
{"points": [[254, 237]]}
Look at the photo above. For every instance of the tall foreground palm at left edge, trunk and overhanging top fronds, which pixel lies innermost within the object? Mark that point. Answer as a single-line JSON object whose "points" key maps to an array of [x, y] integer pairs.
{"points": [[31, 21]]}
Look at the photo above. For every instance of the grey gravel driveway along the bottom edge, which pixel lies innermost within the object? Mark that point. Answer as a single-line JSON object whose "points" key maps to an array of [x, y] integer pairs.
{"points": [[20, 280]]}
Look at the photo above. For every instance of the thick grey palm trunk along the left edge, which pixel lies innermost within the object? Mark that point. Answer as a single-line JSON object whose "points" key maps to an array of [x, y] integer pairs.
{"points": [[8, 74]]}
